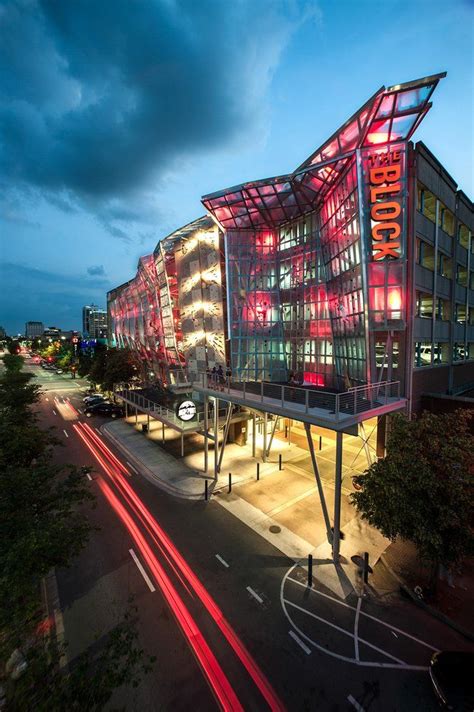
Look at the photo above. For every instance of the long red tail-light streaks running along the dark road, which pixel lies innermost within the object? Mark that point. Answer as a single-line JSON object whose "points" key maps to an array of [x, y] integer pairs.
{"points": [[164, 542]]}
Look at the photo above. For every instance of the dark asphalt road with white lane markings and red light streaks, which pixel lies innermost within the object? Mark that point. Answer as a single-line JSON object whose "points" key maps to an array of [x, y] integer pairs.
{"points": [[228, 616]]}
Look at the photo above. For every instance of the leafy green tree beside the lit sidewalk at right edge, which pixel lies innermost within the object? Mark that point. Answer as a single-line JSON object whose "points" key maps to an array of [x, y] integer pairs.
{"points": [[422, 491]]}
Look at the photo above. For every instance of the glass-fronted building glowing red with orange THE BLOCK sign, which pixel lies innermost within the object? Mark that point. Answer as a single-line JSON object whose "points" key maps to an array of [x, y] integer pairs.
{"points": [[355, 268]]}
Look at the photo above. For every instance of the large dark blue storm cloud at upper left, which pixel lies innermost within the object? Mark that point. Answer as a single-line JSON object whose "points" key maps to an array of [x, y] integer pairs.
{"points": [[100, 98]]}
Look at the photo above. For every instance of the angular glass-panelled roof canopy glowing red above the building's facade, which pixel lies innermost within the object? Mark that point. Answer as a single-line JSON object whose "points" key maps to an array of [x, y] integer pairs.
{"points": [[389, 115]]}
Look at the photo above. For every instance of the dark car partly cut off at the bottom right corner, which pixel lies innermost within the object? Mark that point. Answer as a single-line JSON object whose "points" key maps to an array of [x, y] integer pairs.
{"points": [[452, 675]]}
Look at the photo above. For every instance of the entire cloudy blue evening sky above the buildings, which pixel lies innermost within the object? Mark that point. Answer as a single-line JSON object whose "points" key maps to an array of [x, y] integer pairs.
{"points": [[116, 116]]}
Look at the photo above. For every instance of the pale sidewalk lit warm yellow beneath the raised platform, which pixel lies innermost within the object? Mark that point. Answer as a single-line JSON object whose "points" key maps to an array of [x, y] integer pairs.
{"points": [[282, 506]]}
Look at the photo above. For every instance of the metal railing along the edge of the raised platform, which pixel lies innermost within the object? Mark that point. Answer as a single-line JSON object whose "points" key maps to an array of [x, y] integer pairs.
{"points": [[352, 402]]}
